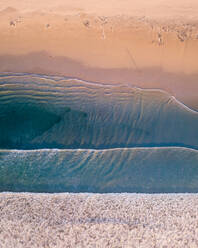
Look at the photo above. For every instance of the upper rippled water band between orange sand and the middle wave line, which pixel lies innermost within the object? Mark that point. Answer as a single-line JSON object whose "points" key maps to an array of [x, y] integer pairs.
{"points": [[38, 112]]}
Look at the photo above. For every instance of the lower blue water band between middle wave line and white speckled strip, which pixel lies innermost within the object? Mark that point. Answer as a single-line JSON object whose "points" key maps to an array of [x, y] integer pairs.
{"points": [[149, 170]]}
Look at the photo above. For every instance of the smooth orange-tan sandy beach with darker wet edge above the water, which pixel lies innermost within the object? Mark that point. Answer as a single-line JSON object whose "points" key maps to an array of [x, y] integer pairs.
{"points": [[149, 44]]}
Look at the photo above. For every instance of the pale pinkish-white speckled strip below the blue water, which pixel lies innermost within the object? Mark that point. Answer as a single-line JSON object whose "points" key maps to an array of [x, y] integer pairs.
{"points": [[97, 220]]}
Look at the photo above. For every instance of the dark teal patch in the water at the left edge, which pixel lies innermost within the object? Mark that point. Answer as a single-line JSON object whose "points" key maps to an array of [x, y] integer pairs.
{"points": [[22, 122]]}
